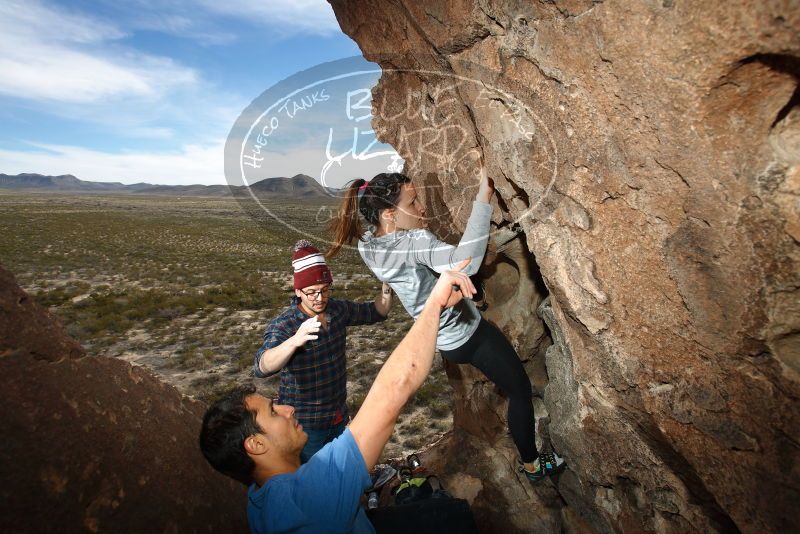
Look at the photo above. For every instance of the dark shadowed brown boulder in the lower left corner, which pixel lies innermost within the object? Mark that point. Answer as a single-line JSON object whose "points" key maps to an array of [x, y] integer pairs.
{"points": [[95, 445]]}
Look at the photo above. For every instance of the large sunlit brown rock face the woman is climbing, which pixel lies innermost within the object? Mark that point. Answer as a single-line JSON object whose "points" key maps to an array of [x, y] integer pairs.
{"points": [[650, 153]]}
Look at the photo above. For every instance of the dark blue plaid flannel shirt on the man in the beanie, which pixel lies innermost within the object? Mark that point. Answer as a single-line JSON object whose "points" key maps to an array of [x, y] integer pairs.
{"points": [[314, 380]]}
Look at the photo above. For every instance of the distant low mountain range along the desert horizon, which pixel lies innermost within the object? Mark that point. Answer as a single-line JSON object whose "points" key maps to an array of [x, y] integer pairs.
{"points": [[299, 186]]}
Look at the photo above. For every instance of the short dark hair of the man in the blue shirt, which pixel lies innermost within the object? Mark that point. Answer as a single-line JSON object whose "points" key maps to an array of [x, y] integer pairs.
{"points": [[226, 424]]}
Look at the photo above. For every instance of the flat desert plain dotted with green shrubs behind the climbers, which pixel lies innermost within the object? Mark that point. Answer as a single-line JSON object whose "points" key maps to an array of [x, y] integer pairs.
{"points": [[184, 287]]}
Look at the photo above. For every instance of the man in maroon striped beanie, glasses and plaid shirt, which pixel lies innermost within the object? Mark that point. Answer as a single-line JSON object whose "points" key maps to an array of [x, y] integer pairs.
{"points": [[306, 343]]}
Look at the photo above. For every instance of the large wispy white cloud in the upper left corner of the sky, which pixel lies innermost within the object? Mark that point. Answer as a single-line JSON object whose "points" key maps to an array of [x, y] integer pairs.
{"points": [[52, 55]]}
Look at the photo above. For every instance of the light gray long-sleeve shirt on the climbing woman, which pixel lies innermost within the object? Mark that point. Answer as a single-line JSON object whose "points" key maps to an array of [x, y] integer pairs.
{"points": [[407, 260]]}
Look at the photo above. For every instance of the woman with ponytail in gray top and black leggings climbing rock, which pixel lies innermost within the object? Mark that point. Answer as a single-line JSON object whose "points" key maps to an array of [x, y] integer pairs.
{"points": [[401, 252]]}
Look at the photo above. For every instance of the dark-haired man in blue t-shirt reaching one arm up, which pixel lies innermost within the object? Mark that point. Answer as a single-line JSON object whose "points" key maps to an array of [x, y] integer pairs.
{"points": [[258, 442]]}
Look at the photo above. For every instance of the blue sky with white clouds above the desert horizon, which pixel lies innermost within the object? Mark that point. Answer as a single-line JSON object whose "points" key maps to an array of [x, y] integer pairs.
{"points": [[149, 90]]}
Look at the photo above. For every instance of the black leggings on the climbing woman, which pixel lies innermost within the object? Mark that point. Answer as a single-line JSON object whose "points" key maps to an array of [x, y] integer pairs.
{"points": [[489, 351]]}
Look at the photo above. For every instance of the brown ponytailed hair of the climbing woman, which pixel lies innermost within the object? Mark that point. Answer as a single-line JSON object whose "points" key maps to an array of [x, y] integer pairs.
{"points": [[382, 192]]}
